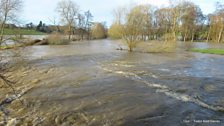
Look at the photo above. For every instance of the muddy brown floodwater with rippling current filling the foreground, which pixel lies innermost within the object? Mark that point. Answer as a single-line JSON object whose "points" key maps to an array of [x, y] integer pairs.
{"points": [[92, 83]]}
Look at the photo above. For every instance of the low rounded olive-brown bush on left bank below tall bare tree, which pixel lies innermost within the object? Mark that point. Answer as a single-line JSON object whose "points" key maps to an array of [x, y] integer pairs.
{"points": [[56, 39]]}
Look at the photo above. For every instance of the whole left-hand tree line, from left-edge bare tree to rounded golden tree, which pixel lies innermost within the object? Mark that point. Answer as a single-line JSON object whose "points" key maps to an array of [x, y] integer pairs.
{"points": [[72, 22]]}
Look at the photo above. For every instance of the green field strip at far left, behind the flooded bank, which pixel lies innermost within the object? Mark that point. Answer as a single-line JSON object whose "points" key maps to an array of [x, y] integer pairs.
{"points": [[22, 32]]}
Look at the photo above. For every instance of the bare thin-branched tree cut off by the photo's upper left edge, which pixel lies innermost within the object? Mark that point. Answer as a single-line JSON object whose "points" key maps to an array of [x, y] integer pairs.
{"points": [[8, 12]]}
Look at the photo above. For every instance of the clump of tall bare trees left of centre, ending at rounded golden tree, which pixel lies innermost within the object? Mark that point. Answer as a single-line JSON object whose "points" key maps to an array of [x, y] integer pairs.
{"points": [[79, 24]]}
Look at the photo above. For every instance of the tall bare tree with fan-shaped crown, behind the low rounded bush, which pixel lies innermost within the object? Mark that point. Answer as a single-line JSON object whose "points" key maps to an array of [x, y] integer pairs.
{"points": [[68, 10]]}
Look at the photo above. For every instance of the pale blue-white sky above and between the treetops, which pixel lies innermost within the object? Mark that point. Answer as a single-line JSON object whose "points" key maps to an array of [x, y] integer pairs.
{"points": [[36, 10]]}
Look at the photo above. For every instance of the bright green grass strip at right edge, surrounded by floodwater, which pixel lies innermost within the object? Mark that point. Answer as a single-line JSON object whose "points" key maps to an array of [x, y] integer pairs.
{"points": [[209, 51]]}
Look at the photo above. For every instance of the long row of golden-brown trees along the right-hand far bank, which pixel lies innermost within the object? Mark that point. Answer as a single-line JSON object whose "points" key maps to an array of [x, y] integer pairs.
{"points": [[181, 20]]}
